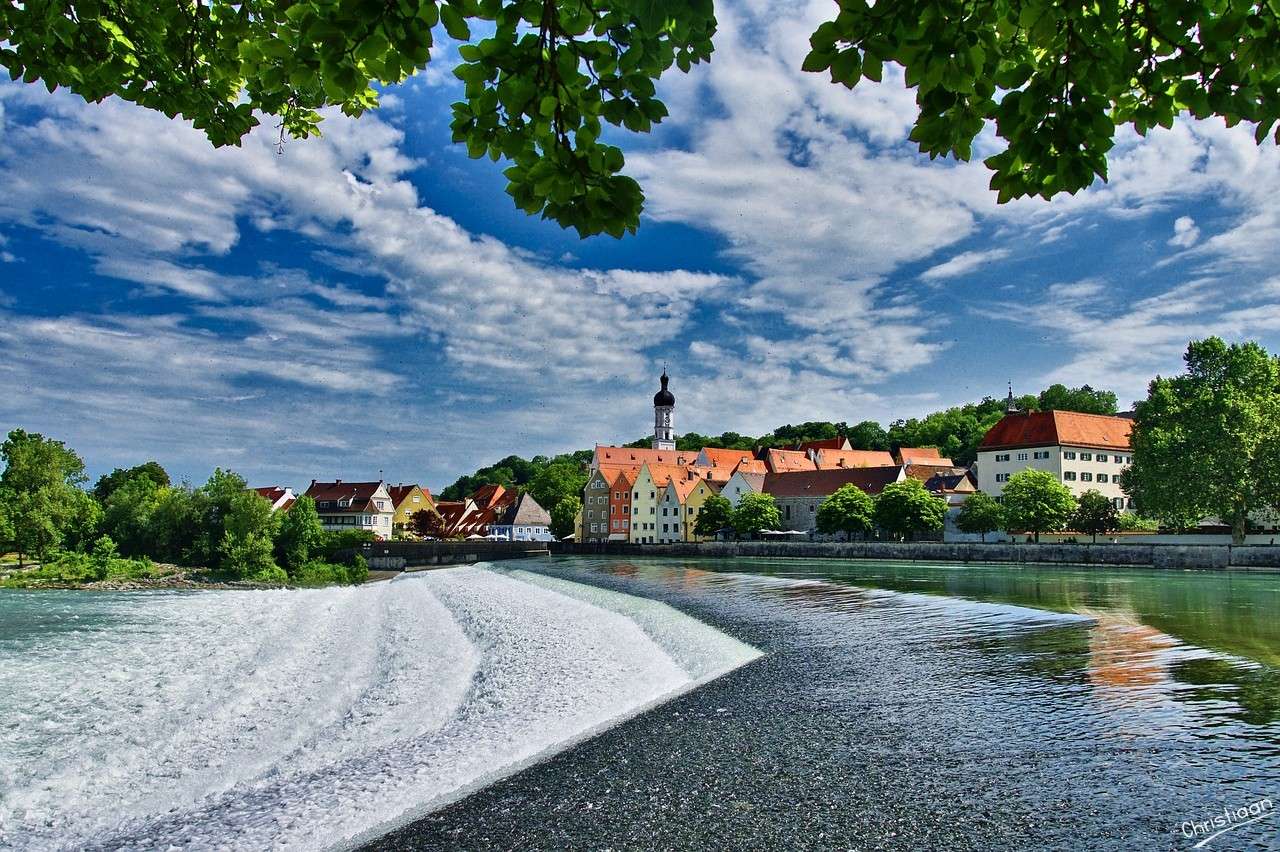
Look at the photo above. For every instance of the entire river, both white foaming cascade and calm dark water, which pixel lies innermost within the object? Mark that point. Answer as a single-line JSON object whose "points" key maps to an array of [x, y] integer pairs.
{"points": [[648, 704]]}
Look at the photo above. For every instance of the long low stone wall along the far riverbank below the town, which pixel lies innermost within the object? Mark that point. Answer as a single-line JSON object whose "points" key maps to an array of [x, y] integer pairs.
{"points": [[1136, 556]]}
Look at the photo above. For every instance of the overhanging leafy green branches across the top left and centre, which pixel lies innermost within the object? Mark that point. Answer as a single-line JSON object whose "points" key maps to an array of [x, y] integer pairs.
{"points": [[543, 80]]}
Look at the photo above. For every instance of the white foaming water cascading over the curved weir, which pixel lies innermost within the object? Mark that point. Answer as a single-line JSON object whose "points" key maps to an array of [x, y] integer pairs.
{"points": [[309, 720]]}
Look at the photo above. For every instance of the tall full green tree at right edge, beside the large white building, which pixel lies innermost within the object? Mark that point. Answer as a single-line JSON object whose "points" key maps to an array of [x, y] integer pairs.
{"points": [[1206, 443]]}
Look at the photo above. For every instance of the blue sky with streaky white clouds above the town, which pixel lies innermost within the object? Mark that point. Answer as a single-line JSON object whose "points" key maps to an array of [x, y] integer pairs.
{"points": [[371, 304]]}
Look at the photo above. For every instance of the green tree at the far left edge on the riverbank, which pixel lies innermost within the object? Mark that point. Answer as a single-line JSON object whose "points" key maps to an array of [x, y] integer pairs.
{"points": [[42, 487]]}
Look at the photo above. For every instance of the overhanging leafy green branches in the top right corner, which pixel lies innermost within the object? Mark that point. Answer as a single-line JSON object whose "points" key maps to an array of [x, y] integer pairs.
{"points": [[1057, 80]]}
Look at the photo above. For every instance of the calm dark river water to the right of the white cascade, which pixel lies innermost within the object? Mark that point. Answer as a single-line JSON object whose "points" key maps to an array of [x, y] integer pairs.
{"points": [[917, 708]]}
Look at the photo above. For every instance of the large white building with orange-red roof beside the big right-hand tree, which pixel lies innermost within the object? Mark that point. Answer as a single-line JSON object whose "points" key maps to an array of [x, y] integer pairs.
{"points": [[1084, 452]]}
